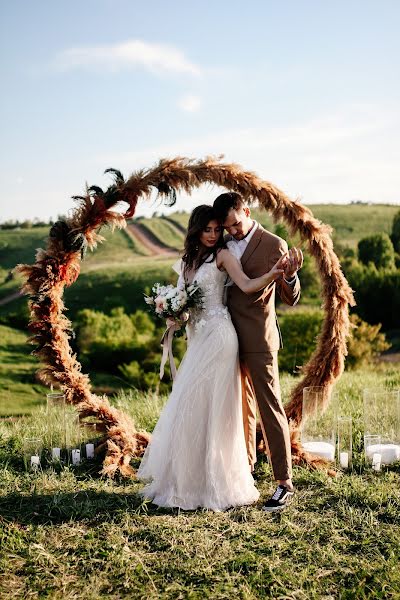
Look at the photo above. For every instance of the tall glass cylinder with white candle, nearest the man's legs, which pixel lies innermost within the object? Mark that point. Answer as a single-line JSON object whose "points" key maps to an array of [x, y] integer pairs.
{"points": [[318, 423]]}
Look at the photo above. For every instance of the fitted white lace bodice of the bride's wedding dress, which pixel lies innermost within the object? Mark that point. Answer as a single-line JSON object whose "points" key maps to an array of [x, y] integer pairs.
{"points": [[211, 281]]}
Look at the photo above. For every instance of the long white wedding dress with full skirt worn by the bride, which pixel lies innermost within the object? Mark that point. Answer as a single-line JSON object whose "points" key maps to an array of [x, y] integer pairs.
{"points": [[197, 456]]}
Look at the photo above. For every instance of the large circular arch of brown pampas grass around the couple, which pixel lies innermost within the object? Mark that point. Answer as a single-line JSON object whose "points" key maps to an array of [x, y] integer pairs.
{"points": [[58, 266]]}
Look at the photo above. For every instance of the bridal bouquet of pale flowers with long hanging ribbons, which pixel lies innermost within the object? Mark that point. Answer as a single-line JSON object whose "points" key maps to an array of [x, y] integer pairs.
{"points": [[169, 302]]}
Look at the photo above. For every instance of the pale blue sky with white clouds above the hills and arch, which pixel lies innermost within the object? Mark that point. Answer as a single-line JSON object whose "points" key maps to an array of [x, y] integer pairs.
{"points": [[306, 93]]}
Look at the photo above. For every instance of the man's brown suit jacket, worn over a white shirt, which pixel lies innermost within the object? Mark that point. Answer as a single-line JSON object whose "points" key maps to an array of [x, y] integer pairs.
{"points": [[253, 315]]}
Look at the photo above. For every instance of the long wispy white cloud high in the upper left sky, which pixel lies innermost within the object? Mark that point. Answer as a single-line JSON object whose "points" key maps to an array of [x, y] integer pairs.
{"points": [[158, 58]]}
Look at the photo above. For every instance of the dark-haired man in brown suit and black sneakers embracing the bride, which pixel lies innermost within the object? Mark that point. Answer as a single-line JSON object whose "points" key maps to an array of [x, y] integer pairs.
{"points": [[259, 337]]}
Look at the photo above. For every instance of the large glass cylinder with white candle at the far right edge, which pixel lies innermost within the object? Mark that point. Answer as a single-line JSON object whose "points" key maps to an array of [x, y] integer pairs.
{"points": [[382, 420]]}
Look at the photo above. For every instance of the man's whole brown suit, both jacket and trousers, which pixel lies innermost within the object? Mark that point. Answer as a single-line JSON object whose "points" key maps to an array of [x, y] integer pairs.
{"points": [[259, 337]]}
